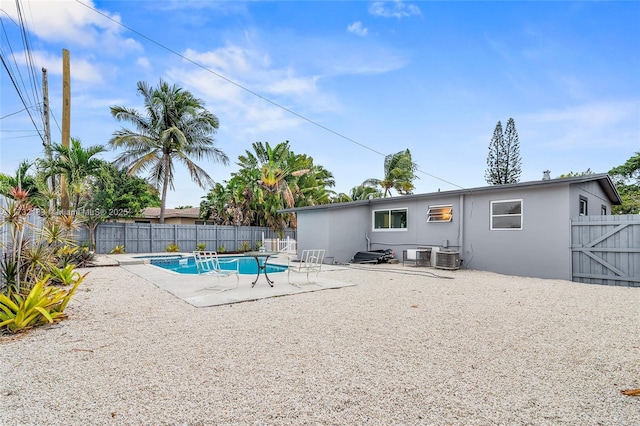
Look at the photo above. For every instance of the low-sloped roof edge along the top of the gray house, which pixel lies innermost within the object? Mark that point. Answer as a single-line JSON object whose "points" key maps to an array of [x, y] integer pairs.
{"points": [[603, 180]]}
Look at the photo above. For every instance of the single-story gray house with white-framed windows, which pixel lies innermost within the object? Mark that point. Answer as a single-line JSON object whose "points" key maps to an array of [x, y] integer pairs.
{"points": [[521, 229]]}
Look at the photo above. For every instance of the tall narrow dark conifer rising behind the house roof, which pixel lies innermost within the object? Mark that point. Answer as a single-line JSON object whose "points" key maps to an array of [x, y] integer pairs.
{"points": [[504, 161]]}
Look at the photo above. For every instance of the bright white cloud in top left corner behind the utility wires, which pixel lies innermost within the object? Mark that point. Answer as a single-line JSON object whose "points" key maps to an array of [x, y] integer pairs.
{"points": [[71, 22]]}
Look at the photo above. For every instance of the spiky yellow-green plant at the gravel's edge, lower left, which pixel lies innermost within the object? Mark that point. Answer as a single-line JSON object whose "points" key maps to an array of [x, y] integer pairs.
{"points": [[43, 304]]}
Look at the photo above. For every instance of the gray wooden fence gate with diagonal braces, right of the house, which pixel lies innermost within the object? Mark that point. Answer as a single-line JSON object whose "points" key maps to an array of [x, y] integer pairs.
{"points": [[606, 250]]}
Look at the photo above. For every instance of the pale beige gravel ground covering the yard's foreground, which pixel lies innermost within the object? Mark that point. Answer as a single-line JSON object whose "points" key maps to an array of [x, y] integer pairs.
{"points": [[402, 347]]}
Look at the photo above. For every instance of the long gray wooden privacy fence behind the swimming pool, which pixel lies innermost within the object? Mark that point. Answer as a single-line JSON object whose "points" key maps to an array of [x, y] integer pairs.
{"points": [[154, 238]]}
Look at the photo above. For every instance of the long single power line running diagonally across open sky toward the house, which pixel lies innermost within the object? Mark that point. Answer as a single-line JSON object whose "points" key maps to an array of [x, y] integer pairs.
{"points": [[228, 80]]}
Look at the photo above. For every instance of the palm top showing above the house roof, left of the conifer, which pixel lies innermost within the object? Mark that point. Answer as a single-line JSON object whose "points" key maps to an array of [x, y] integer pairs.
{"points": [[399, 174]]}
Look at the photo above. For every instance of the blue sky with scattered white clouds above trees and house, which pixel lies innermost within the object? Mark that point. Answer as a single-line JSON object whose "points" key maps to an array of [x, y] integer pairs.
{"points": [[364, 79]]}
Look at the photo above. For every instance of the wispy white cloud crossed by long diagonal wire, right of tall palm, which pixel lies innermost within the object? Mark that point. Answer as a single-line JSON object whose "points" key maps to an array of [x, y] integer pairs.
{"points": [[250, 70]]}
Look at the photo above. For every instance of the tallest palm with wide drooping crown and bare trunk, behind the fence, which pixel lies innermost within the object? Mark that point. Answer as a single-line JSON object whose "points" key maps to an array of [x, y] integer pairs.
{"points": [[175, 126]]}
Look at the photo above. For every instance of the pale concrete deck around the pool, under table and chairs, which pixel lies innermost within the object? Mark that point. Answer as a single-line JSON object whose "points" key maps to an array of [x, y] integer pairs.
{"points": [[193, 289]]}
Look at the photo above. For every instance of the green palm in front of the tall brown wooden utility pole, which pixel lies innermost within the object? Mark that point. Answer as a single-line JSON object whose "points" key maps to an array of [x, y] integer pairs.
{"points": [[76, 164]]}
